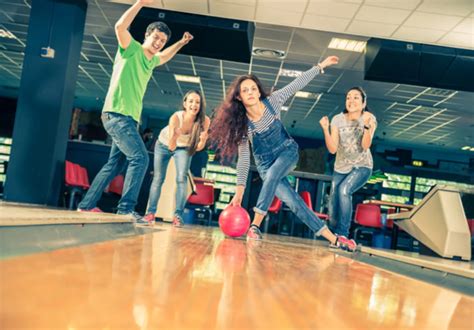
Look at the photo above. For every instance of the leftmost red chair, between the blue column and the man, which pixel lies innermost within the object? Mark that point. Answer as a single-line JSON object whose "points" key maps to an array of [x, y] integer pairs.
{"points": [[76, 181]]}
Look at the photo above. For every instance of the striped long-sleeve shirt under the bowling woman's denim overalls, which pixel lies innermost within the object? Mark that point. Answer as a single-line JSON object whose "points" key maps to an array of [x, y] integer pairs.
{"points": [[276, 99]]}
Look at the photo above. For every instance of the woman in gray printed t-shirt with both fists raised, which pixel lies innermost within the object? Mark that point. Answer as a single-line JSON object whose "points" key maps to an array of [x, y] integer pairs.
{"points": [[350, 138]]}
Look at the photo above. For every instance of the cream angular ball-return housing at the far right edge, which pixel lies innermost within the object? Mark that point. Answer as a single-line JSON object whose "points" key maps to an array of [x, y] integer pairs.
{"points": [[439, 222]]}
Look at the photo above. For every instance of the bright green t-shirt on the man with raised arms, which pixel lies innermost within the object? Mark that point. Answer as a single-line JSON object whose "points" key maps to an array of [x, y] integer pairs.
{"points": [[130, 76]]}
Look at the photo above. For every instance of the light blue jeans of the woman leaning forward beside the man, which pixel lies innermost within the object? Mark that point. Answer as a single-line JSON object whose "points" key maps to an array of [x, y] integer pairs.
{"points": [[182, 161]]}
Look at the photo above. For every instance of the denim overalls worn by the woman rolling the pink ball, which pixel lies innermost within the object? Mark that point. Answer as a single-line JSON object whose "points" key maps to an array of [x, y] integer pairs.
{"points": [[276, 154]]}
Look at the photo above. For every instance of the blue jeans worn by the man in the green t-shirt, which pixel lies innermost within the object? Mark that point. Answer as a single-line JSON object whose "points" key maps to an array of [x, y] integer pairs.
{"points": [[127, 146]]}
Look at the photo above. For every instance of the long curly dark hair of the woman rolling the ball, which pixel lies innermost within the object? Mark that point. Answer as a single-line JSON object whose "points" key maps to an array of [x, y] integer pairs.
{"points": [[229, 125]]}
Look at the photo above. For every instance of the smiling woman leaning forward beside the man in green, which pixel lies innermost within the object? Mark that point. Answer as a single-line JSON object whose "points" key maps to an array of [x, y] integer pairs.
{"points": [[185, 134]]}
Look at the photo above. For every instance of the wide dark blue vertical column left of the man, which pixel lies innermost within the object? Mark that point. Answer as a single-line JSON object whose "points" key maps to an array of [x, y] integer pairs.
{"points": [[36, 169]]}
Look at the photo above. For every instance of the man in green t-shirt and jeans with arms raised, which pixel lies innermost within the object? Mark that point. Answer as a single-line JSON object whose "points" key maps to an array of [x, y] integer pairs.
{"points": [[133, 67]]}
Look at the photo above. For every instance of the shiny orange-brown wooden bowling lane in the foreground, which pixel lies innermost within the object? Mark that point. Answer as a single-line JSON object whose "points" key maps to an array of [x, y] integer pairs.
{"points": [[193, 277]]}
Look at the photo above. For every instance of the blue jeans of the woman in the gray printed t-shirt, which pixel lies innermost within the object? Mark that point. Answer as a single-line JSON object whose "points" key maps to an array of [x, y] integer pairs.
{"points": [[342, 188]]}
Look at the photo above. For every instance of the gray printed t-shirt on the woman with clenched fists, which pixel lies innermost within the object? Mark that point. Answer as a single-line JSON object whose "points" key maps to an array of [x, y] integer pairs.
{"points": [[349, 150]]}
